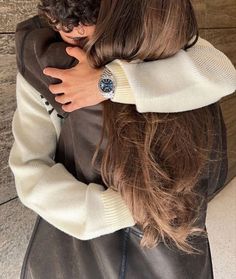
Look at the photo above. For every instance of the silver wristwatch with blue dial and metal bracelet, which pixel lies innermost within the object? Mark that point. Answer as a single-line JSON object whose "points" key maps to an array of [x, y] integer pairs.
{"points": [[107, 84]]}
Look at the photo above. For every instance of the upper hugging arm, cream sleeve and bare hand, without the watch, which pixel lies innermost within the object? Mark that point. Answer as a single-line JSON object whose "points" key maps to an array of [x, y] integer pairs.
{"points": [[191, 79]]}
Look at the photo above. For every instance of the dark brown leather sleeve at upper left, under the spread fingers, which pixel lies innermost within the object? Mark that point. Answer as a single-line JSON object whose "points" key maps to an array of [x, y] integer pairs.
{"points": [[33, 55]]}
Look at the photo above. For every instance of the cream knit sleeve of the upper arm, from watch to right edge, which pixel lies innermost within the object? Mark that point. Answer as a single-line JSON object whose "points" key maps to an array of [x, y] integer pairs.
{"points": [[188, 80]]}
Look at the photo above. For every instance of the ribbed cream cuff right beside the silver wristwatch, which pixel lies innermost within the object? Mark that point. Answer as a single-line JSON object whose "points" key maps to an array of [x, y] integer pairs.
{"points": [[123, 93]]}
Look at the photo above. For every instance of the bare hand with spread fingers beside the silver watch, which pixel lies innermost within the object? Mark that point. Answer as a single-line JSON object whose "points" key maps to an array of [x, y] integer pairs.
{"points": [[79, 84]]}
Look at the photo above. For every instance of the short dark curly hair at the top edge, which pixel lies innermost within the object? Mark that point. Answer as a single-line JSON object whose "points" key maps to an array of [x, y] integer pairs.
{"points": [[69, 13]]}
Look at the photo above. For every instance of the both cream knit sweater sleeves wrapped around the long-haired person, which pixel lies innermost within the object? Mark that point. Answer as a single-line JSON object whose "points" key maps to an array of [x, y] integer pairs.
{"points": [[186, 81]]}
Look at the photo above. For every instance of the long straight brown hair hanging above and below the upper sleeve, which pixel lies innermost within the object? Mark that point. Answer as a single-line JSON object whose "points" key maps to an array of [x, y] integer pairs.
{"points": [[154, 160]]}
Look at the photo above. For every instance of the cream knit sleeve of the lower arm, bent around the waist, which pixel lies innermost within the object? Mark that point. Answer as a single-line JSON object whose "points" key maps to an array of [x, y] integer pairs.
{"points": [[83, 211]]}
